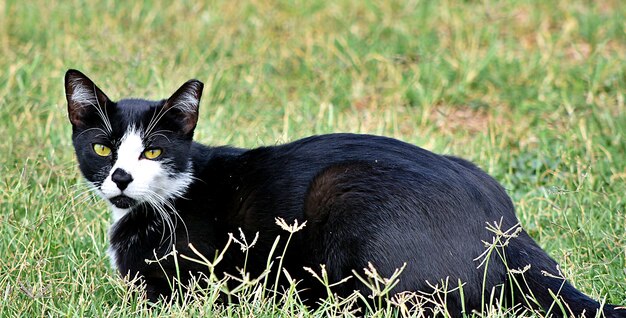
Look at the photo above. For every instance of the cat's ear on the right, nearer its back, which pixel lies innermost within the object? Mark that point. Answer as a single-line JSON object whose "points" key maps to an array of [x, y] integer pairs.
{"points": [[183, 105]]}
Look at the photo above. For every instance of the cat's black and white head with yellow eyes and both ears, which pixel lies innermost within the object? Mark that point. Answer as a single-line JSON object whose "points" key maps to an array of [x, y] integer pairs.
{"points": [[133, 151]]}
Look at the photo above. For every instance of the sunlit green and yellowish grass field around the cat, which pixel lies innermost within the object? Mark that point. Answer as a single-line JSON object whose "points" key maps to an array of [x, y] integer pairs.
{"points": [[532, 91]]}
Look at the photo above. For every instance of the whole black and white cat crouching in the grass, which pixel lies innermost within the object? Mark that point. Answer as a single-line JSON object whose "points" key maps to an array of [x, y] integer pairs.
{"points": [[364, 198]]}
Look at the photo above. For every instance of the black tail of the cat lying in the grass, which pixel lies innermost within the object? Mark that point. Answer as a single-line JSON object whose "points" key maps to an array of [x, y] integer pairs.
{"points": [[538, 282]]}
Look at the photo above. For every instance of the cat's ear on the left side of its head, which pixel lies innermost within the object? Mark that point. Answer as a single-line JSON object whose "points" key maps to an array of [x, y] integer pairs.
{"points": [[83, 97]]}
